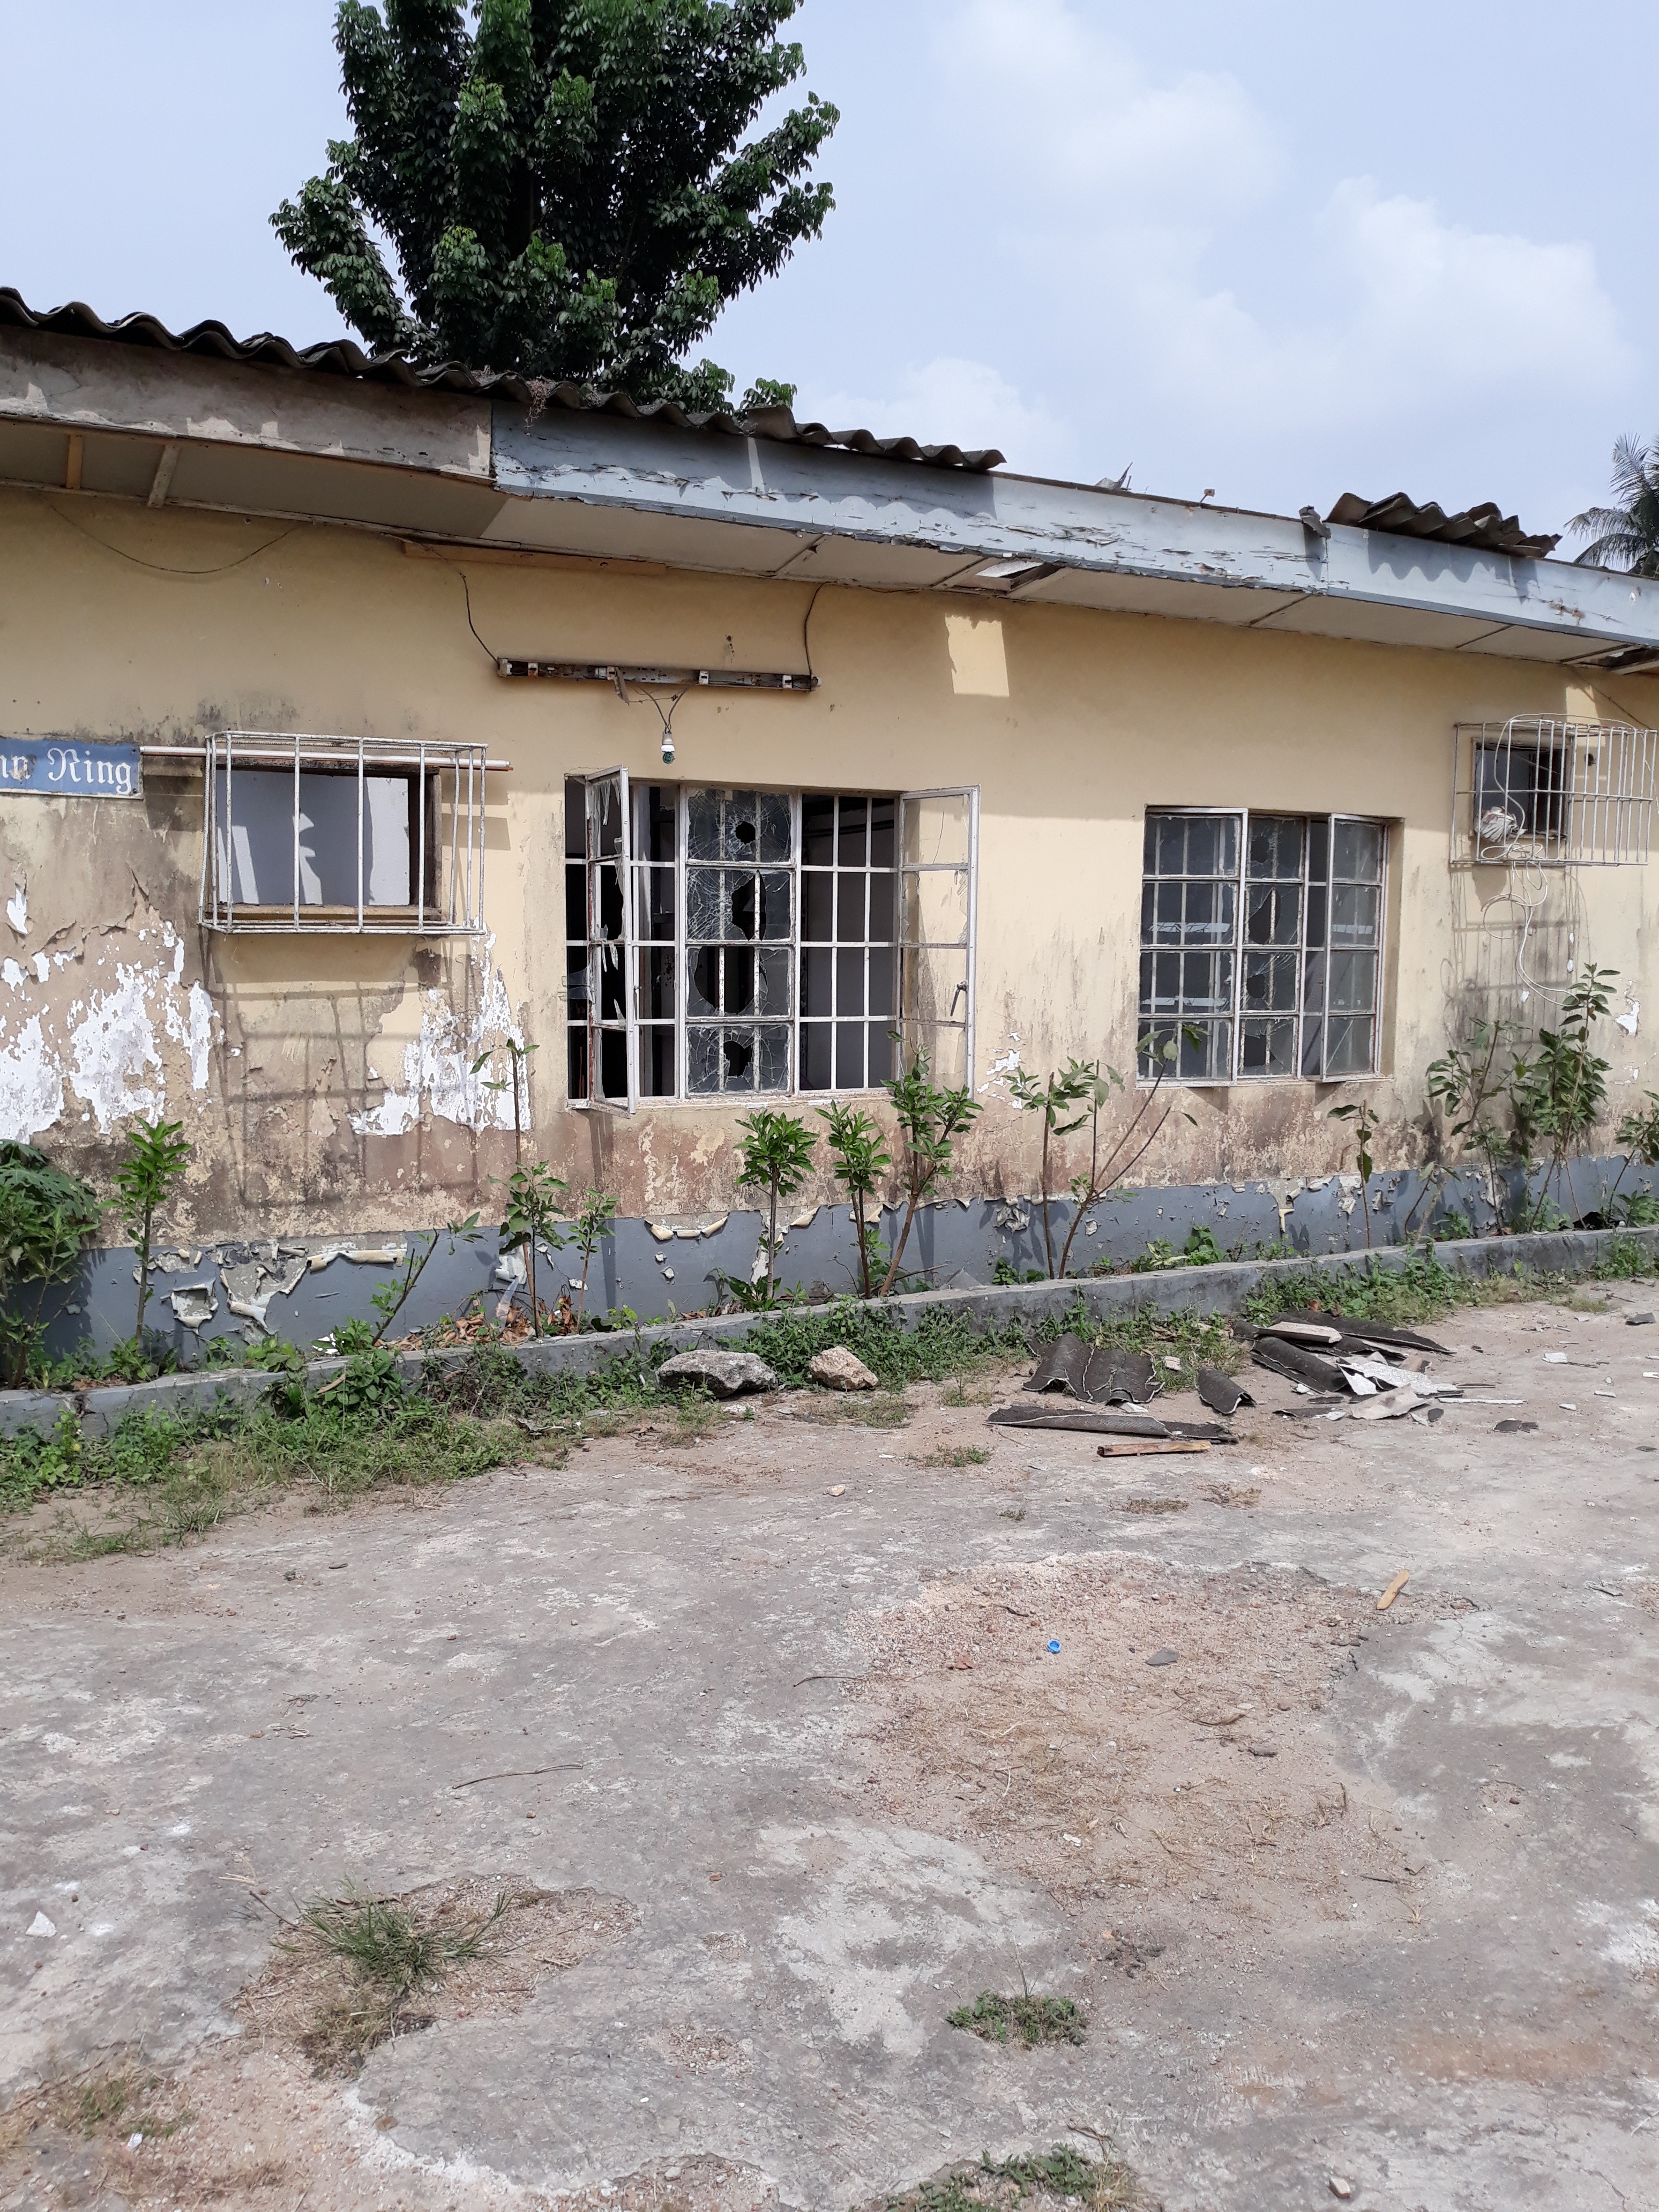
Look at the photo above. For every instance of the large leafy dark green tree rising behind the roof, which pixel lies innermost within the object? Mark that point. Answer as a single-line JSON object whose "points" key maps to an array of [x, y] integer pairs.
{"points": [[565, 185]]}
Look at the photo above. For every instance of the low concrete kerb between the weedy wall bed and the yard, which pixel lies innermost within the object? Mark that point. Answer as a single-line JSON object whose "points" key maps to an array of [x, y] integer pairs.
{"points": [[1019, 1306]]}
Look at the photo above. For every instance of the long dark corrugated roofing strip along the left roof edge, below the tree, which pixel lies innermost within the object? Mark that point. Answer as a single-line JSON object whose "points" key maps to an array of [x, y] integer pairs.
{"points": [[348, 359]]}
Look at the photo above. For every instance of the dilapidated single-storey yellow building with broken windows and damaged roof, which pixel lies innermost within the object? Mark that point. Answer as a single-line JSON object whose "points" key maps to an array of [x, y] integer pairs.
{"points": [[357, 722]]}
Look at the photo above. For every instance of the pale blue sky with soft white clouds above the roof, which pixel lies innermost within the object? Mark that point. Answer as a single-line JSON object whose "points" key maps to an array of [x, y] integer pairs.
{"points": [[1264, 253]]}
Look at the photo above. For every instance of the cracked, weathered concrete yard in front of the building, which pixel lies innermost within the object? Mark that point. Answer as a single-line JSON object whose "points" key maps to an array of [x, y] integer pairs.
{"points": [[1350, 1897]]}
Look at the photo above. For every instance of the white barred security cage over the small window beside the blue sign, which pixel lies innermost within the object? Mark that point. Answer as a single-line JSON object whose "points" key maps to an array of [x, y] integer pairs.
{"points": [[342, 835]]}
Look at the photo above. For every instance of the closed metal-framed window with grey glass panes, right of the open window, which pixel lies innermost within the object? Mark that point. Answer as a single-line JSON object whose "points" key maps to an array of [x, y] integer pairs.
{"points": [[1262, 946]]}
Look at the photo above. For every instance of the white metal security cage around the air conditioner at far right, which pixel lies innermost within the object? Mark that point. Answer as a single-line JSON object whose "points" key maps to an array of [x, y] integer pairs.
{"points": [[1552, 793]]}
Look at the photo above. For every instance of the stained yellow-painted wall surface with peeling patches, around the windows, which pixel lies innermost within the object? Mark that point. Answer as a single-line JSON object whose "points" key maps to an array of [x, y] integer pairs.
{"points": [[125, 623]]}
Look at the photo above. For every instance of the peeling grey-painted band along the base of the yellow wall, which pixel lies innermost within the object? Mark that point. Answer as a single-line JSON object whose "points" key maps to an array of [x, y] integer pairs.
{"points": [[302, 1288]]}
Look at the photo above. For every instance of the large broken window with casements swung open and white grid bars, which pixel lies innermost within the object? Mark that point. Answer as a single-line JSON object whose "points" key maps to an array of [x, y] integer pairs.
{"points": [[738, 943]]}
